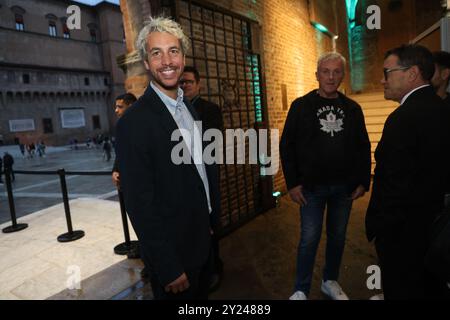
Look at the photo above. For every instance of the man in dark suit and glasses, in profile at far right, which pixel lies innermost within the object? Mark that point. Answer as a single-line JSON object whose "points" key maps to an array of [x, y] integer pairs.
{"points": [[409, 182]]}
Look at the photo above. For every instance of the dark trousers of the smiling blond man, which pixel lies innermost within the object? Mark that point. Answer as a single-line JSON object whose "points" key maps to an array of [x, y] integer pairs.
{"points": [[199, 281]]}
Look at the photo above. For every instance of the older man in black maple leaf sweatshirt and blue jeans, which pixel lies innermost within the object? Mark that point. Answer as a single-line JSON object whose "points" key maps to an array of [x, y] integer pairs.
{"points": [[325, 154]]}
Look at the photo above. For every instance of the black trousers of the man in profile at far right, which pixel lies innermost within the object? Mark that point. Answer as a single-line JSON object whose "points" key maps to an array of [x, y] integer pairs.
{"points": [[403, 274]]}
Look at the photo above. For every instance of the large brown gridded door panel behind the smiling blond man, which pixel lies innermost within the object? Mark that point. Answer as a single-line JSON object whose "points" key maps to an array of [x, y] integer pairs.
{"points": [[230, 72]]}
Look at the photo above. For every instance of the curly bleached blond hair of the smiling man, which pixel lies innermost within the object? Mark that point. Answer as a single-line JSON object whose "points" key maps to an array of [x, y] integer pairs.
{"points": [[160, 24]]}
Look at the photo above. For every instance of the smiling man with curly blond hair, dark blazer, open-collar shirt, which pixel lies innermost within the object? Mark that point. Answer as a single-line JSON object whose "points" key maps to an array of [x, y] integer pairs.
{"points": [[171, 205]]}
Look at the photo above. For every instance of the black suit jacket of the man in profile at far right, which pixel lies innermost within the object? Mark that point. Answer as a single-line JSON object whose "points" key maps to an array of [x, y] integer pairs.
{"points": [[411, 168]]}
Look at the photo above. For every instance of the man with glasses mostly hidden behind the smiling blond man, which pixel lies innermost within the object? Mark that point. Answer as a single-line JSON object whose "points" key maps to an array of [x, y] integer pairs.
{"points": [[211, 117]]}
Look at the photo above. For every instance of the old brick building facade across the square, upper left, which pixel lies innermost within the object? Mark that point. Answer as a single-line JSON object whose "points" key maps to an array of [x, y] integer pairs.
{"points": [[57, 84]]}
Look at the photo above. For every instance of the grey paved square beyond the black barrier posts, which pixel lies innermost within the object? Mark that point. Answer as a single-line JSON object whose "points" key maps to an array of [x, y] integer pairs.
{"points": [[36, 192]]}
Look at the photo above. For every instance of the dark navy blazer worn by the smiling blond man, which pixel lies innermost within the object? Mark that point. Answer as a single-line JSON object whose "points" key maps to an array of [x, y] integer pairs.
{"points": [[167, 203]]}
